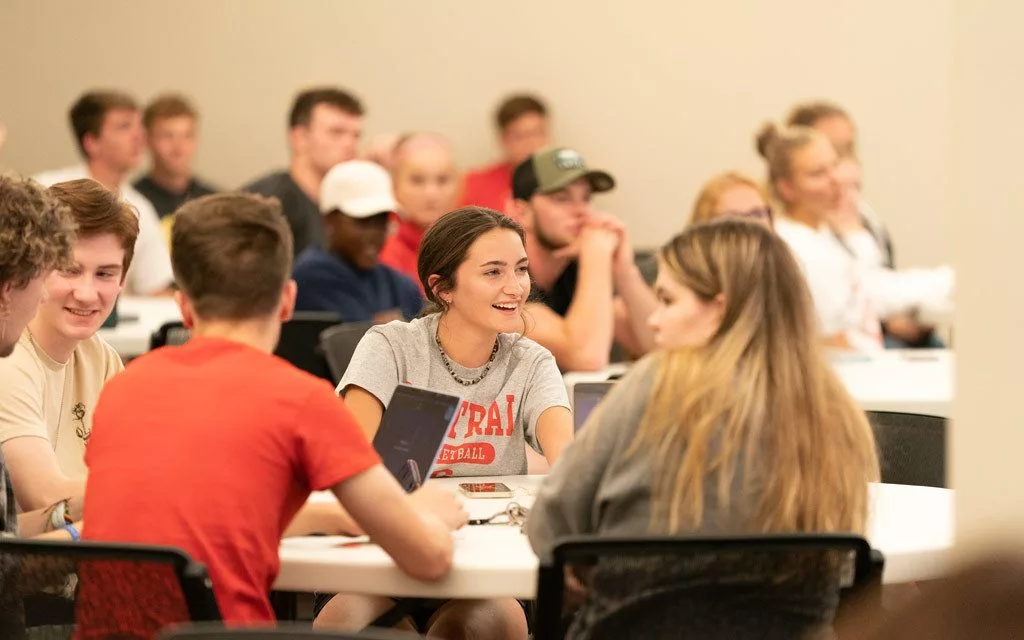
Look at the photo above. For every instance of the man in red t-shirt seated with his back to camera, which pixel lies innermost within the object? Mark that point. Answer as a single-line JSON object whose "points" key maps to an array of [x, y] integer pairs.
{"points": [[215, 447]]}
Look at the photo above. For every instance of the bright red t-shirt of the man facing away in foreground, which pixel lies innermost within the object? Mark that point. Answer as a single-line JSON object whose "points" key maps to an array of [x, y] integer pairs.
{"points": [[214, 447]]}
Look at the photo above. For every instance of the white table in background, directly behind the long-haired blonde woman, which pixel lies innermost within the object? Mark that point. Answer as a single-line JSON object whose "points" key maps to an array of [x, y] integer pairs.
{"points": [[918, 381]]}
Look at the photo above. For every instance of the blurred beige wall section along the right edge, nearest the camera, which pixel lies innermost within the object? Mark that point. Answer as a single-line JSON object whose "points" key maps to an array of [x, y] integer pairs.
{"points": [[988, 442]]}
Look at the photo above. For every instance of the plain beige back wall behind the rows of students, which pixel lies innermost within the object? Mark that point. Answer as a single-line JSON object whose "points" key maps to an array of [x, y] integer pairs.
{"points": [[662, 94]]}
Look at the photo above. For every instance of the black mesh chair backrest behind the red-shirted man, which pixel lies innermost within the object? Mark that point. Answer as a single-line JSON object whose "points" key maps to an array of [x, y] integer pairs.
{"points": [[119, 591]]}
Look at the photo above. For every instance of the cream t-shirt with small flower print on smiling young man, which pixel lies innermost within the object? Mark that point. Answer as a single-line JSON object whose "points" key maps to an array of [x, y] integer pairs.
{"points": [[41, 398]]}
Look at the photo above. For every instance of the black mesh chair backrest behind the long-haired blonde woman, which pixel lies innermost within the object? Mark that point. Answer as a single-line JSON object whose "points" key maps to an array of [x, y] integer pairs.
{"points": [[773, 586]]}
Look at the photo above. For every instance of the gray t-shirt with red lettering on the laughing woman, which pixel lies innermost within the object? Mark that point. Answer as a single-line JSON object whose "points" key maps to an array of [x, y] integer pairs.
{"points": [[498, 416]]}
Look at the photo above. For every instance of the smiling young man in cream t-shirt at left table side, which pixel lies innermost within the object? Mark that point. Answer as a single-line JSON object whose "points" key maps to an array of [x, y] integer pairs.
{"points": [[50, 386]]}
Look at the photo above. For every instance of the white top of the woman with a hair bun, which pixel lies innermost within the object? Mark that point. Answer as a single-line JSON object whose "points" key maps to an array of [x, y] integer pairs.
{"points": [[837, 285]]}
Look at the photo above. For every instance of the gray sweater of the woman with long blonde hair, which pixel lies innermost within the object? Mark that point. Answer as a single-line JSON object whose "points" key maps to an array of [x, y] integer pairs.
{"points": [[596, 489]]}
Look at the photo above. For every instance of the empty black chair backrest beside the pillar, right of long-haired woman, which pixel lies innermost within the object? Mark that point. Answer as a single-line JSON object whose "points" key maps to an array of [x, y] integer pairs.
{"points": [[912, 448]]}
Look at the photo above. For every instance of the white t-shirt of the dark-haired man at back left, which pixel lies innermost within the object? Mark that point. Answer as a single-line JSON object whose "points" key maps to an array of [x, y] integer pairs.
{"points": [[151, 267]]}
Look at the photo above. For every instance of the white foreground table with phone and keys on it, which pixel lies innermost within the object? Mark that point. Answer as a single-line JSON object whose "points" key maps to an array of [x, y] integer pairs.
{"points": [[912, 526]]}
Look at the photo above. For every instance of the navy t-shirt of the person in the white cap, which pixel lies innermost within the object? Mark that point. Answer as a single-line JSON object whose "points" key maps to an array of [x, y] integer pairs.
{"points": [[327, 283]]}
